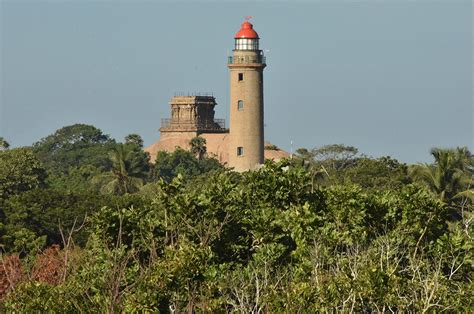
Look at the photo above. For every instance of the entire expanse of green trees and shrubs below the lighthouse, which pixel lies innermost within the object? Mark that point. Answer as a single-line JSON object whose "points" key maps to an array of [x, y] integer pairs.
{"points": [[329, 230]]}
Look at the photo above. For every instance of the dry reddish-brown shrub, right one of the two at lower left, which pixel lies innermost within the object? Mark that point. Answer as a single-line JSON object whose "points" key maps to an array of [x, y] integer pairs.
{"points": [[49, 266]]}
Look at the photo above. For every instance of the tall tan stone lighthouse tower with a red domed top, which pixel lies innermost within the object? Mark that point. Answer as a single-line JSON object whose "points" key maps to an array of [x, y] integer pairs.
{"points": [[246, 148]]}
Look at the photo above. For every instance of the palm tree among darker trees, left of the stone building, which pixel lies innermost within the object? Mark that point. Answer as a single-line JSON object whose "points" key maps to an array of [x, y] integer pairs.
{"points": [[126, 174]]}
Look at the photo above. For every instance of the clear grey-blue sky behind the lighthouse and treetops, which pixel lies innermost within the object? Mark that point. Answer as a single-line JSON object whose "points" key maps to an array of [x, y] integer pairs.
{"points": [[389, 77]]}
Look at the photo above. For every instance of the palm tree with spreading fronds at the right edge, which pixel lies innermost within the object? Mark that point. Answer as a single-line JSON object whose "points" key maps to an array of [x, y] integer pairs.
{"points": [[450, 176]]}
